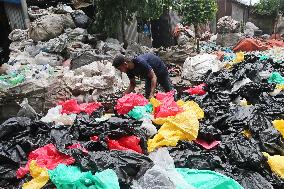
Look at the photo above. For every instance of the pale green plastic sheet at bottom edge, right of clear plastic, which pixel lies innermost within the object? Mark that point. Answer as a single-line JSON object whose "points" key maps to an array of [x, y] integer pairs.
{"points": [[205, 179]]}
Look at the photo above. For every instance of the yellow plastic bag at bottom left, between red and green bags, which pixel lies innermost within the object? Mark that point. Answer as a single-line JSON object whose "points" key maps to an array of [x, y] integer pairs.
{"points": [[40, 177]]}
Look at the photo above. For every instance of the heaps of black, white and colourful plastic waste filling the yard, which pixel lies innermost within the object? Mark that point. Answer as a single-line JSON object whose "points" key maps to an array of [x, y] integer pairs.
{"points": [[66, 123]]}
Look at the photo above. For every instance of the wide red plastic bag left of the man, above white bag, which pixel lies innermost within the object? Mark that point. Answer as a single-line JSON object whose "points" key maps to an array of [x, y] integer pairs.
{"points": [[72, 107]]}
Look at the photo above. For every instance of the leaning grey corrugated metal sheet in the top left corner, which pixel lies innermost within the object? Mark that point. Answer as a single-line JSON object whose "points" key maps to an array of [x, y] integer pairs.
{"points": [[15, 16]]}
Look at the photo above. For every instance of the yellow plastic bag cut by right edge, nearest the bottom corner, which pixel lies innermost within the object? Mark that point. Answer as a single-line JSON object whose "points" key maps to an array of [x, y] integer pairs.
{"points": [[276, 164]]}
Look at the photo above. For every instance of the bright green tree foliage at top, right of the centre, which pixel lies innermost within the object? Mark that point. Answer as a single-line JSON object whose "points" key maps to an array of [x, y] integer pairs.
{"points": [[196, 11]]}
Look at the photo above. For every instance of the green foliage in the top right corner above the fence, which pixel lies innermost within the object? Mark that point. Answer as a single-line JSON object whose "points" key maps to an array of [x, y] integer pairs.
{"points": [[269, 7]]}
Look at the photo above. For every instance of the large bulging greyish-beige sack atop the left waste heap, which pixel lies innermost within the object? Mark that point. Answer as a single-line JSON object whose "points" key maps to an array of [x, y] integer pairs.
{"points": [[50, 26]]}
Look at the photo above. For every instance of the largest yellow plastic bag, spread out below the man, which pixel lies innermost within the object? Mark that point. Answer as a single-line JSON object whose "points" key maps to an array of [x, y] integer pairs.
{"points": [[183, 126]]}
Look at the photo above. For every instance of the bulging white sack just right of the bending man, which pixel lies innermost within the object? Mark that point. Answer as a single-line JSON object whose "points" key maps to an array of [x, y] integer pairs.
{"points": [[196, 67]]}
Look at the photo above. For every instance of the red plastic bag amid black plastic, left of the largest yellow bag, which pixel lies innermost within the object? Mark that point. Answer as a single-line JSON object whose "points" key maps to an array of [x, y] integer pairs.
{"points": [[125, 143]]}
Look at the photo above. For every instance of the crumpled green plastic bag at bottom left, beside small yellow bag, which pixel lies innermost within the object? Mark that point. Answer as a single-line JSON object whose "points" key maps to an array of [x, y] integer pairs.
{"points": [[67, 177]]}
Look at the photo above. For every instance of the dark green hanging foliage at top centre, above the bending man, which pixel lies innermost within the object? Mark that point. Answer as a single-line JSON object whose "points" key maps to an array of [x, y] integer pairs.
{"points": [[111, 12]]}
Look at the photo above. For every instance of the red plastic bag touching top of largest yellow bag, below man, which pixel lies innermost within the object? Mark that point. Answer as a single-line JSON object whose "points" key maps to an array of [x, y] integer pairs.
{"points": [[168, 106]]}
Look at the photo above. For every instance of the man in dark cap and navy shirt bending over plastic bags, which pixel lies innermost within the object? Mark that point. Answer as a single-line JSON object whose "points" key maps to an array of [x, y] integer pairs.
{"points": [[147, 66]]}
